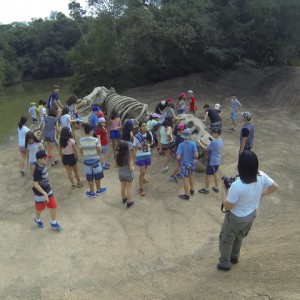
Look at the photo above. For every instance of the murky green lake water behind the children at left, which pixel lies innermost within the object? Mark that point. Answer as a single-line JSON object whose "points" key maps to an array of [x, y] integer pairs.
{"points": [[15, 101]]}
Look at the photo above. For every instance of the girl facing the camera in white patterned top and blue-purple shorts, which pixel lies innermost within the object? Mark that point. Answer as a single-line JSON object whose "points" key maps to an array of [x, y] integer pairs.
{"points": [[142, 152]]}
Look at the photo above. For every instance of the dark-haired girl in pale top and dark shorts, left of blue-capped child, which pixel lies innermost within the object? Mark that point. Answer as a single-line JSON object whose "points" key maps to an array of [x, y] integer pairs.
{"points": [[166, 141]]}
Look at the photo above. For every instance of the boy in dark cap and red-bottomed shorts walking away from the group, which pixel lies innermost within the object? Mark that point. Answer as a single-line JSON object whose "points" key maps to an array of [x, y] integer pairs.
{"points": [[43, 194]]}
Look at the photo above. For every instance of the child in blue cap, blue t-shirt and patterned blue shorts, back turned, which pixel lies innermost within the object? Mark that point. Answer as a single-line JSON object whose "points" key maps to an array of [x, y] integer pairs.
{"points": [[186, 153]]}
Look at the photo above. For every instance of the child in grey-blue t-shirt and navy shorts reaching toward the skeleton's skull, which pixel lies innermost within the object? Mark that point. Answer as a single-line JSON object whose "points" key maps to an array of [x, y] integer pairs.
{"points": [[214, 160]]}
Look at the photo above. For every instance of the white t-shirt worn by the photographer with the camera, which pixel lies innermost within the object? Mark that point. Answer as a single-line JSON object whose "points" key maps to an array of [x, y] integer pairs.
{"points": [[247, 196]]}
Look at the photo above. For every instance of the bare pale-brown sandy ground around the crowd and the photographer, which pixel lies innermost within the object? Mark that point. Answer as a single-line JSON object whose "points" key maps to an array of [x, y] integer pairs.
{"points": [[163, 247]]}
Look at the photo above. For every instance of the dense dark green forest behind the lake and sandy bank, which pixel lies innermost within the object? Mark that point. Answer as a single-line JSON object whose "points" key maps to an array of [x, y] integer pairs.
{"points": [[126, 43]]}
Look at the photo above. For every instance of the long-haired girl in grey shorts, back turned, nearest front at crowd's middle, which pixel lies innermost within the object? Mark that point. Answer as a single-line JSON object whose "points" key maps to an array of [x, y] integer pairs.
{"points": [[126, 168]]}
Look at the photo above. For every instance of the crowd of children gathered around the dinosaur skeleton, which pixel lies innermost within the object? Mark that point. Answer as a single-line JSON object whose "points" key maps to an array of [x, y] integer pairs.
{"points": [[128, 149]]}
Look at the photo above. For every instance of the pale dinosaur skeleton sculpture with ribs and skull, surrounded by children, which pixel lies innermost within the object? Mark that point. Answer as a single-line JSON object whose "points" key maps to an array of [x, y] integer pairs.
{"points": [[130, 108]]}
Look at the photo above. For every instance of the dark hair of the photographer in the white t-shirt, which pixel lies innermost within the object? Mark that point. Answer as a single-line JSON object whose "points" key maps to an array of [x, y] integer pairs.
{"points": [[248, 166]]}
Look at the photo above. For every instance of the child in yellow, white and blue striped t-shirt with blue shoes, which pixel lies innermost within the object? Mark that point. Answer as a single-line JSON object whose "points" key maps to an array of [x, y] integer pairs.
{"points": [[91, 149]]}
